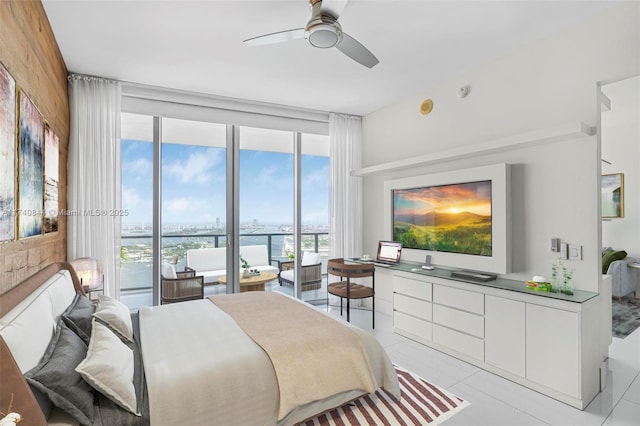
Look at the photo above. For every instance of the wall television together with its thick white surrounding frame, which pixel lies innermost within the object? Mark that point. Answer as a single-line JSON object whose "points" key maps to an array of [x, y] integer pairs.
{"points": [[461, 218]]}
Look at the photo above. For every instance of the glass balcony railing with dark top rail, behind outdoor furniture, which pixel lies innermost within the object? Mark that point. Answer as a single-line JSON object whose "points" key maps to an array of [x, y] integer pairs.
{"points": [[137, 255]]}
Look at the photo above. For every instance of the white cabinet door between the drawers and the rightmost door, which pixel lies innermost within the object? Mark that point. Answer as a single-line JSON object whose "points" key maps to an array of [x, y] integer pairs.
{"points": [[505, 334]]}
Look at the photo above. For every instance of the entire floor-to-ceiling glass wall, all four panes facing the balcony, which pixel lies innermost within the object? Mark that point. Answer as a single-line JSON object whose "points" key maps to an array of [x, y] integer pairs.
{"points": [[194, 184]]}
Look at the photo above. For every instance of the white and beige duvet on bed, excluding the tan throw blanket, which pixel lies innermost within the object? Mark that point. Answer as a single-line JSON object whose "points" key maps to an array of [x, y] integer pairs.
{"points": [[201, 368]]}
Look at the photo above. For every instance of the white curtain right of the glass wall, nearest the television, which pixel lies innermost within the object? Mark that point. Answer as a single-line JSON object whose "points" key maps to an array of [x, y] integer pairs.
{"points": [[345, 153]]}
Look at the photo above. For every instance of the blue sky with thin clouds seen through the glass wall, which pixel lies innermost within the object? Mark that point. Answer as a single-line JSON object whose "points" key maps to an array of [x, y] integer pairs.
{"points": [[193, 185]]}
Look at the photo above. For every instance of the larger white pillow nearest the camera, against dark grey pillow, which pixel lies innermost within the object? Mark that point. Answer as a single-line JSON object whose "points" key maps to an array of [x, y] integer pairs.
{"points": [[108, 368]]}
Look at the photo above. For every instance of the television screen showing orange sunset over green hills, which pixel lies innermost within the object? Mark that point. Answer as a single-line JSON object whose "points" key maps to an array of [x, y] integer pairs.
{"points": [[448, 218]]}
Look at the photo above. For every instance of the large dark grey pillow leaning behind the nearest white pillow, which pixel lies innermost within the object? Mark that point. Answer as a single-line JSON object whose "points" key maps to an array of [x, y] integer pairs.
{"points": [[55, 375]]}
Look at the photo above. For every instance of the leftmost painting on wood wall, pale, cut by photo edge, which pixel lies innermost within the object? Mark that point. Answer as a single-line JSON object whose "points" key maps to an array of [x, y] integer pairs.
{"points": [[7, 154]]}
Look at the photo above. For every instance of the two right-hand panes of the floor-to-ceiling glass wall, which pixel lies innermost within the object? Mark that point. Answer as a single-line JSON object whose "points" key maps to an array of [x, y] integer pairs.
{"points": [[267, 196]]}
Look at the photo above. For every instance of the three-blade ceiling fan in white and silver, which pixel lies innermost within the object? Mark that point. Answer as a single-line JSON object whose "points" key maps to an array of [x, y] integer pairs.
{"points": [[322, 31]]}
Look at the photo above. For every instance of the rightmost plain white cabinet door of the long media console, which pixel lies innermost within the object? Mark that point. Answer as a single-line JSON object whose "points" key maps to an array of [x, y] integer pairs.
{"points": [[552, 348]]}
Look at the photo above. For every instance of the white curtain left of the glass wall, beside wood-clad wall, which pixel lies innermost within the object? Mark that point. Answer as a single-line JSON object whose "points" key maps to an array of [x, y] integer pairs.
{"points": [[94, 175]]}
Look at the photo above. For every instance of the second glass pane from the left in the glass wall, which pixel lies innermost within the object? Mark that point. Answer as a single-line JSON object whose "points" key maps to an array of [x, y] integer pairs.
{"points": [[193, 190]]}
